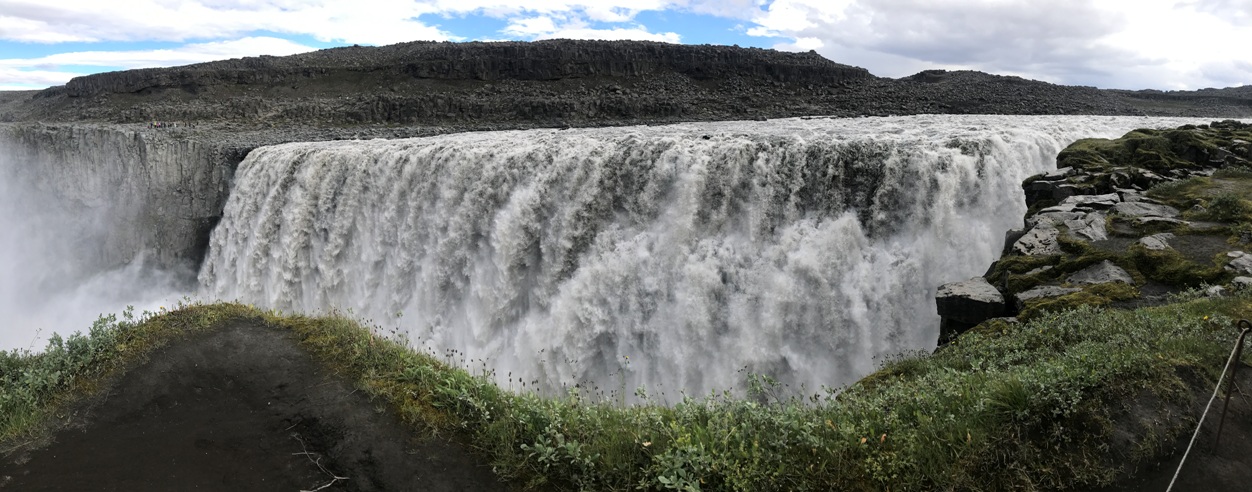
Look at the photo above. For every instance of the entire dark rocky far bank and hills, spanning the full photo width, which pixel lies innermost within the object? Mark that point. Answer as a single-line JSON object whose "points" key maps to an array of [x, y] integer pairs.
{"points": [[559, 83]]}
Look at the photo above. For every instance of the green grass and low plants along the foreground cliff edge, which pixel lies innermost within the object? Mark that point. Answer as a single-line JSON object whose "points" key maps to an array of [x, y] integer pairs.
{"points": [[1008, 406]]}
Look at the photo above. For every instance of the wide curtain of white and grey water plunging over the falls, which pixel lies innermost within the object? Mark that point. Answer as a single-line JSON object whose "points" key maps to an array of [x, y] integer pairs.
{"points": [[668, 257]]}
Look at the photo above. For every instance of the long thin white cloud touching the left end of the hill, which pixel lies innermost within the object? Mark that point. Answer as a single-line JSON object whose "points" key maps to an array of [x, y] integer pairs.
{"points": [[47, 71]]}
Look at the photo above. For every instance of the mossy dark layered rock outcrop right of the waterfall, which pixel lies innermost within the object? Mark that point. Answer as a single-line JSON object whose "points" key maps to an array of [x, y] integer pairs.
{"points": [[1115, 236]]}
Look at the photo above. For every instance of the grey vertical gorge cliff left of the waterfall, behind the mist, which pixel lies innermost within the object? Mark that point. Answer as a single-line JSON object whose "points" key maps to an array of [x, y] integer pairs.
{"points": [[128, 193]]}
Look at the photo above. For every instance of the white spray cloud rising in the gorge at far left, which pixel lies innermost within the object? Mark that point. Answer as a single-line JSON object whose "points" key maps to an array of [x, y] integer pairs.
{"points": [[53, 279]]}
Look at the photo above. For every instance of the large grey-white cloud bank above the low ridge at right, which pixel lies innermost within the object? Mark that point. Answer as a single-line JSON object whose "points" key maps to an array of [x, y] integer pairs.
{"points": [[1155, 43]]}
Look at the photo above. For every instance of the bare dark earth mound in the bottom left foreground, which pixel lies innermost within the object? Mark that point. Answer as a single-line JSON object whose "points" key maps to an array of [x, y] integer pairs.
{"points": [[239, 409]]}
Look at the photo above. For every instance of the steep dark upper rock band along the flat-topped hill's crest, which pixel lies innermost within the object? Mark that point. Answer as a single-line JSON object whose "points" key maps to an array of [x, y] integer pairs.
{"points": [[540, 61]]}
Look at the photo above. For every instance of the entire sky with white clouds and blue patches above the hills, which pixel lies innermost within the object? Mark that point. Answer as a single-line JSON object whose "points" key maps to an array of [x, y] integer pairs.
{"points": [[1126, 44]]}
